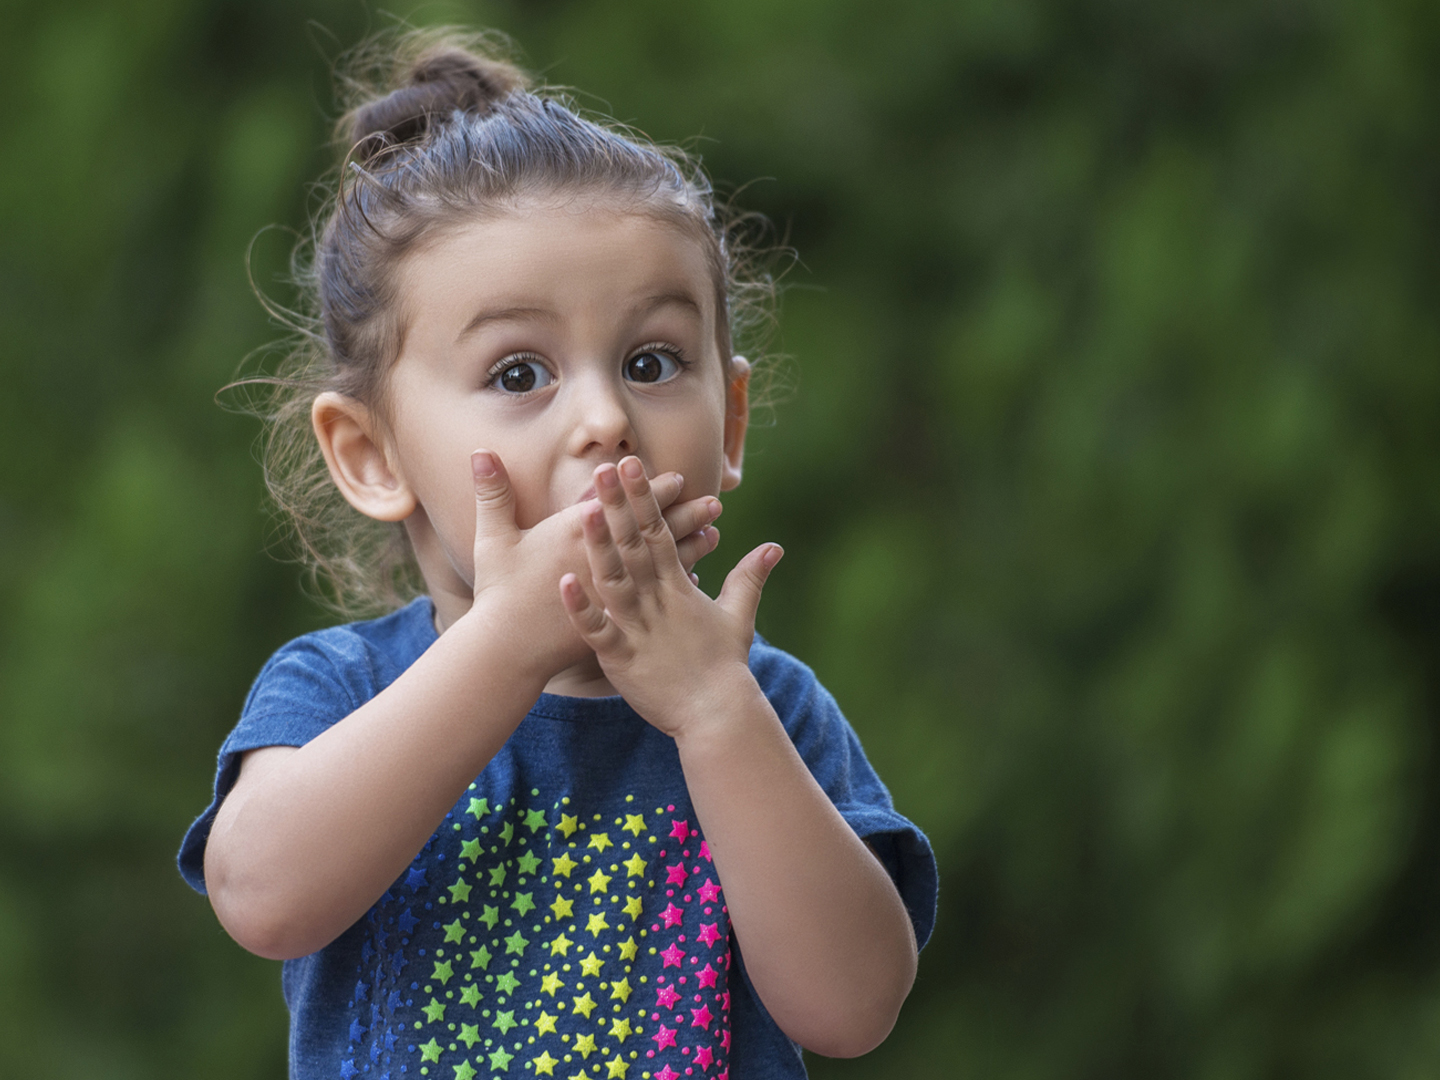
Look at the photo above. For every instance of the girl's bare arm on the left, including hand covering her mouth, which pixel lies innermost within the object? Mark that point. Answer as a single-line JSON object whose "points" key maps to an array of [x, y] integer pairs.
{"points": [[309, 839]]}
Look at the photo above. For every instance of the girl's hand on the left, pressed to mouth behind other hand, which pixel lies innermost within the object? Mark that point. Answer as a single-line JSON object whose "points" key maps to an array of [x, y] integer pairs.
{"points": [[516, 568]]}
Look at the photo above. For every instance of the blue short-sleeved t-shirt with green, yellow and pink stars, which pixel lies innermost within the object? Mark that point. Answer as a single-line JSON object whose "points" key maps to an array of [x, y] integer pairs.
{"points": [[567, 918]]}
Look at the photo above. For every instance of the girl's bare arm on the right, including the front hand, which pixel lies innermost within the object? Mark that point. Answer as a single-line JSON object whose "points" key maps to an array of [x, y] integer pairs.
{"points": [[827, 941]]}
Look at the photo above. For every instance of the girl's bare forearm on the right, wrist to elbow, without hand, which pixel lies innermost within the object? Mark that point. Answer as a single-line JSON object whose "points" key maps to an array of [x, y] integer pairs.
{"points": [[824, 934]]}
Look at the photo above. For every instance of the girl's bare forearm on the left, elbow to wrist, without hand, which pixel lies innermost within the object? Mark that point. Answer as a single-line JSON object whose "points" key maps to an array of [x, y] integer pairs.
{"points": [[310, 837]]}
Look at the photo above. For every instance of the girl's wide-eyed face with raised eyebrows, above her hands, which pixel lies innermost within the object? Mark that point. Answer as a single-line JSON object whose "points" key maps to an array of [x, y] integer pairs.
{"points": [[559, 339]]}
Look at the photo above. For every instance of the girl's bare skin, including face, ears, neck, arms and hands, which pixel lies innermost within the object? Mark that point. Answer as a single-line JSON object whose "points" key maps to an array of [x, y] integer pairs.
{"points": [[538, 523]]}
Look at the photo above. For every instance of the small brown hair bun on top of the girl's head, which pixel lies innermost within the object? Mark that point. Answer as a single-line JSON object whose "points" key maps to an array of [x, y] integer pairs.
{"points": [[438, 83]]}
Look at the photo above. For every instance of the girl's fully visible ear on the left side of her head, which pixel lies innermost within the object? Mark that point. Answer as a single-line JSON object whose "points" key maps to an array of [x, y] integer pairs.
{"points": [[358, 459]]}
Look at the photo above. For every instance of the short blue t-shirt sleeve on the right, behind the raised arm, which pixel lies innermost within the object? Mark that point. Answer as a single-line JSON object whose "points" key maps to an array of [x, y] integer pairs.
{"points": [[832, 750]]}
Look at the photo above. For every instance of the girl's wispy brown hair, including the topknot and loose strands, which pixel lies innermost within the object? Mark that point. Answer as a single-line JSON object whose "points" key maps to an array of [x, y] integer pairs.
{"points": [[443, 129]]}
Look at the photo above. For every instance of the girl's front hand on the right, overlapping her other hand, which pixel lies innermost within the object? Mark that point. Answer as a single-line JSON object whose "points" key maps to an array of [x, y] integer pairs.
{"points": [[663, 644]]}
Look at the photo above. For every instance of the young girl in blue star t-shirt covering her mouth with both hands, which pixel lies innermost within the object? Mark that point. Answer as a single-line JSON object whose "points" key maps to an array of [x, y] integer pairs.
{"points": [[529, 823]]}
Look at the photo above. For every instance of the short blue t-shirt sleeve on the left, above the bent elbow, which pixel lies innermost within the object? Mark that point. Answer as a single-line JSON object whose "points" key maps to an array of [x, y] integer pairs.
{"points": [[297, 696]]}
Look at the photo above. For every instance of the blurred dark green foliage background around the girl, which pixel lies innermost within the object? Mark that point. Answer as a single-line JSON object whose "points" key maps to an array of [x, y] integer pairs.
{"points": [[1111, 492]]}
